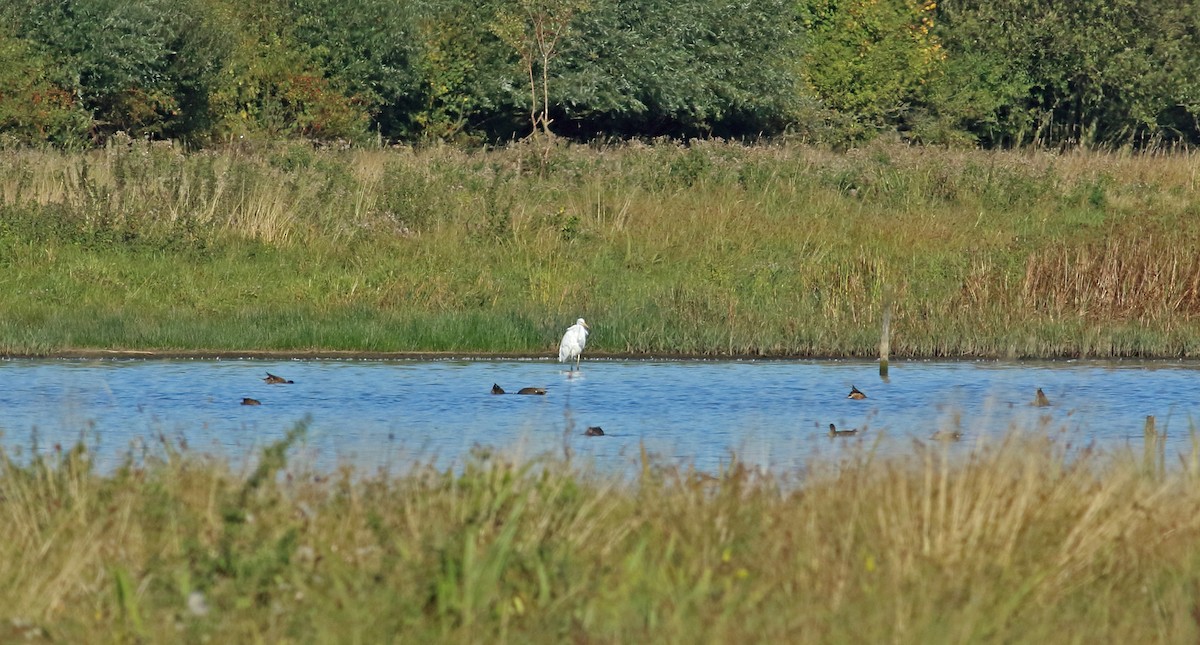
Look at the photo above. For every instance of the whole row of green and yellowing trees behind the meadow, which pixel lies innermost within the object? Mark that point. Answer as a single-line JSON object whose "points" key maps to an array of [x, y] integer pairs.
{"points": [[958, 73]]}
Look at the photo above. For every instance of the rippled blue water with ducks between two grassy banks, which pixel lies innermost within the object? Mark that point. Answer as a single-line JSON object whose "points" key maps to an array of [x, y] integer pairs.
{"points": [[395, 414]]}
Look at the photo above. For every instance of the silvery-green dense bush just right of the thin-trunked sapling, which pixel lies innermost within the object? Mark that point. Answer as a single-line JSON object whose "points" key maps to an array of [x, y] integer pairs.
{"points": [[686, 69]]}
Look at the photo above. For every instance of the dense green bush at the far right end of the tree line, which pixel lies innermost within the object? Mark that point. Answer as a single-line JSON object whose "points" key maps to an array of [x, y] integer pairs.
{"points": [[1108, 73]]}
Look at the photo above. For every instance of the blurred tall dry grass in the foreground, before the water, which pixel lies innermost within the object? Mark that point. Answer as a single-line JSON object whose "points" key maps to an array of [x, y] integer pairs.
{"points": [[1016, 544]]}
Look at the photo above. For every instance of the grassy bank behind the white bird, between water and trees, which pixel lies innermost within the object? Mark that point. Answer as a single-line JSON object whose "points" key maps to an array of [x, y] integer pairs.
{"points": [[710, 250]]}
